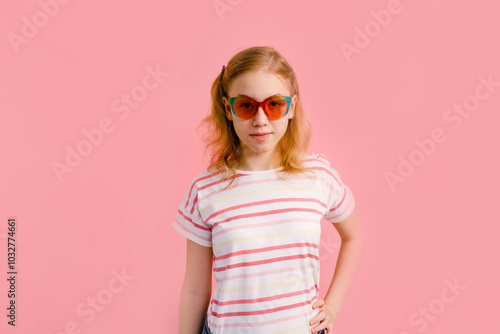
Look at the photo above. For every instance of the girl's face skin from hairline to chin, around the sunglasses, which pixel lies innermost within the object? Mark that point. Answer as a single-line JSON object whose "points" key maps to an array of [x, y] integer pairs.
{"points": [[259, 85]]}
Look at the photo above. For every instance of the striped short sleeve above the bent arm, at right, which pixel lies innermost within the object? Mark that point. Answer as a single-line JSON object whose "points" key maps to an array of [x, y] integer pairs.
{"points": [[340, 198]]}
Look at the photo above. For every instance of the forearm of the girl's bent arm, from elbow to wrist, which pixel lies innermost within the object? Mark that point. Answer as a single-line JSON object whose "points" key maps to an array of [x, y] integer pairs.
{"points": [[348, 261]]}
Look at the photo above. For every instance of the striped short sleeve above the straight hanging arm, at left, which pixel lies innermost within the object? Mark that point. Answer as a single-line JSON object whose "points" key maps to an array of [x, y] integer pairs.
{"points": [[188, 220]]}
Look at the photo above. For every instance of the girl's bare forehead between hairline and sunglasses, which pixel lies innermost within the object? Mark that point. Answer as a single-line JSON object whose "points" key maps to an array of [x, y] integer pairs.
{"points": [[258, 85]]}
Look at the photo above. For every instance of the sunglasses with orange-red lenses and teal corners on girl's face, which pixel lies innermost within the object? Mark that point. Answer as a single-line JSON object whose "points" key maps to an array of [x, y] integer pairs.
{"points": [[275, 107]]}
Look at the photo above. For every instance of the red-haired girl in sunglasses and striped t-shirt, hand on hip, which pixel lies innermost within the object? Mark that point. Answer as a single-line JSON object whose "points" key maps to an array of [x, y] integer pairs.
{"points": [[254, 214]]}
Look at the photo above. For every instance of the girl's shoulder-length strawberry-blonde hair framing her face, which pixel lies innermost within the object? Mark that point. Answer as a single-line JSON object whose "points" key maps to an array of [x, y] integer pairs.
{"points": [[221, 138]]}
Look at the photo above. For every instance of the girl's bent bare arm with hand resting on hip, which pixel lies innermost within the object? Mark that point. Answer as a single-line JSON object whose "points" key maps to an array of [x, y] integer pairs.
{"points": [[352, 234]]}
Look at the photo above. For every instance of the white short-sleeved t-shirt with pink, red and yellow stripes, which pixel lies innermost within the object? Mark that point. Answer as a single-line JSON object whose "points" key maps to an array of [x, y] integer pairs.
{"points": [[265, 234]]}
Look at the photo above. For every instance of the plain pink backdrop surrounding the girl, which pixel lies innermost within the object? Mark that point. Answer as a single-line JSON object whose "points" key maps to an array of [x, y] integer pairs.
{"points": [[113, 211]]}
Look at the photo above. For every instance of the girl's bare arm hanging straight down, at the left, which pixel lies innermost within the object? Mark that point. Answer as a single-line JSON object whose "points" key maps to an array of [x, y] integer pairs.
{"points": [[196, 288]]}
